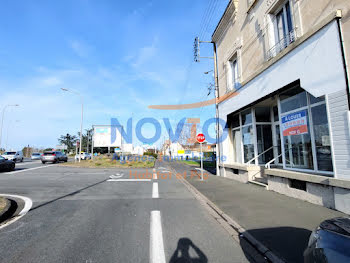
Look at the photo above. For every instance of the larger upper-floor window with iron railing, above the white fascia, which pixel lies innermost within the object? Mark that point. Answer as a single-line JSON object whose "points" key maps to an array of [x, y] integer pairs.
{"points": [[283, 29]]}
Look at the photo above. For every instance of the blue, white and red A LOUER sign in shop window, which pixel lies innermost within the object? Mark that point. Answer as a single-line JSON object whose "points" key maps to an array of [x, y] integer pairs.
{"points": [[295, 123]]}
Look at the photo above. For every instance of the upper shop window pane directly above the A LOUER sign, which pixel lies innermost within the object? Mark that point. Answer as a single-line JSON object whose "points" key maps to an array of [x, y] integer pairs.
{"points": [[293, 99]]}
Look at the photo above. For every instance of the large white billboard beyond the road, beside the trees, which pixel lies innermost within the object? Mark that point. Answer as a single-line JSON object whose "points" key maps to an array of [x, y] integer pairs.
{"points": [[103, 136]]}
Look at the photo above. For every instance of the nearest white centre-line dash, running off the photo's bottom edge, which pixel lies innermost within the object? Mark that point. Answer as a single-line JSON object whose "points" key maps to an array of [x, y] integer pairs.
{"points": [[157, 254]]}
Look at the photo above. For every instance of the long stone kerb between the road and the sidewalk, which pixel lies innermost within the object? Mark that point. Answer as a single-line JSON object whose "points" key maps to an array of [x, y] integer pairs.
{"points": [[225, 221]]}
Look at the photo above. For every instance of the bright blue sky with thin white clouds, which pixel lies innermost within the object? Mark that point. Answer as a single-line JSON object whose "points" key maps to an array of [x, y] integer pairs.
{"points": [[121, 56]]}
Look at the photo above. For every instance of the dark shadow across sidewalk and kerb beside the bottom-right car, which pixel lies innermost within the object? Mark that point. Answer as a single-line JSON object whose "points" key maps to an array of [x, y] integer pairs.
{"points": [[287, 243]]}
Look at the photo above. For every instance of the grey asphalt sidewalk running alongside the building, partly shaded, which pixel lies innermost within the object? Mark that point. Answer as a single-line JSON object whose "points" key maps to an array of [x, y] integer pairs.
{"points": [[281, 223]]}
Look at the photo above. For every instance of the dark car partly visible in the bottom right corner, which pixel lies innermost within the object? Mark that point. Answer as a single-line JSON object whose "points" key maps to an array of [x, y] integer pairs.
{"points": [[329, 242]]}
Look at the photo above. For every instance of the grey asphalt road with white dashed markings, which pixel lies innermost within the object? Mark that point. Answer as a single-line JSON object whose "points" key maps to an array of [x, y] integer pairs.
{"points": [[80, 216]]}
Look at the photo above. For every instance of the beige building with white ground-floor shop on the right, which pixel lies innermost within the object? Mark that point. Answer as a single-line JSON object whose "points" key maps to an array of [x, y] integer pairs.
{"points": [[286, 65]]}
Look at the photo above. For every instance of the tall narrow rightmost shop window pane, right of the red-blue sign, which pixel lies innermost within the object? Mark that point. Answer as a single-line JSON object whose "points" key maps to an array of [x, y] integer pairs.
{"points": [[322, 138]]}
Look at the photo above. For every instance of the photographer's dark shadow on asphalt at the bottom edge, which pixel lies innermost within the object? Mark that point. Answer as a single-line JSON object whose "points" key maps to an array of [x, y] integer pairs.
{"points": [[182, 253]]}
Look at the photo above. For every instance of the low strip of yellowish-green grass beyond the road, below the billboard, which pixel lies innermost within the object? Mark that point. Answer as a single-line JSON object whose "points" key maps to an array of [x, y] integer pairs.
{"points": [[106, 162]]}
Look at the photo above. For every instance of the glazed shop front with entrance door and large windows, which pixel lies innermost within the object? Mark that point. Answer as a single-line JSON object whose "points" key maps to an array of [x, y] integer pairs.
{"points": [[289, 129]]}
